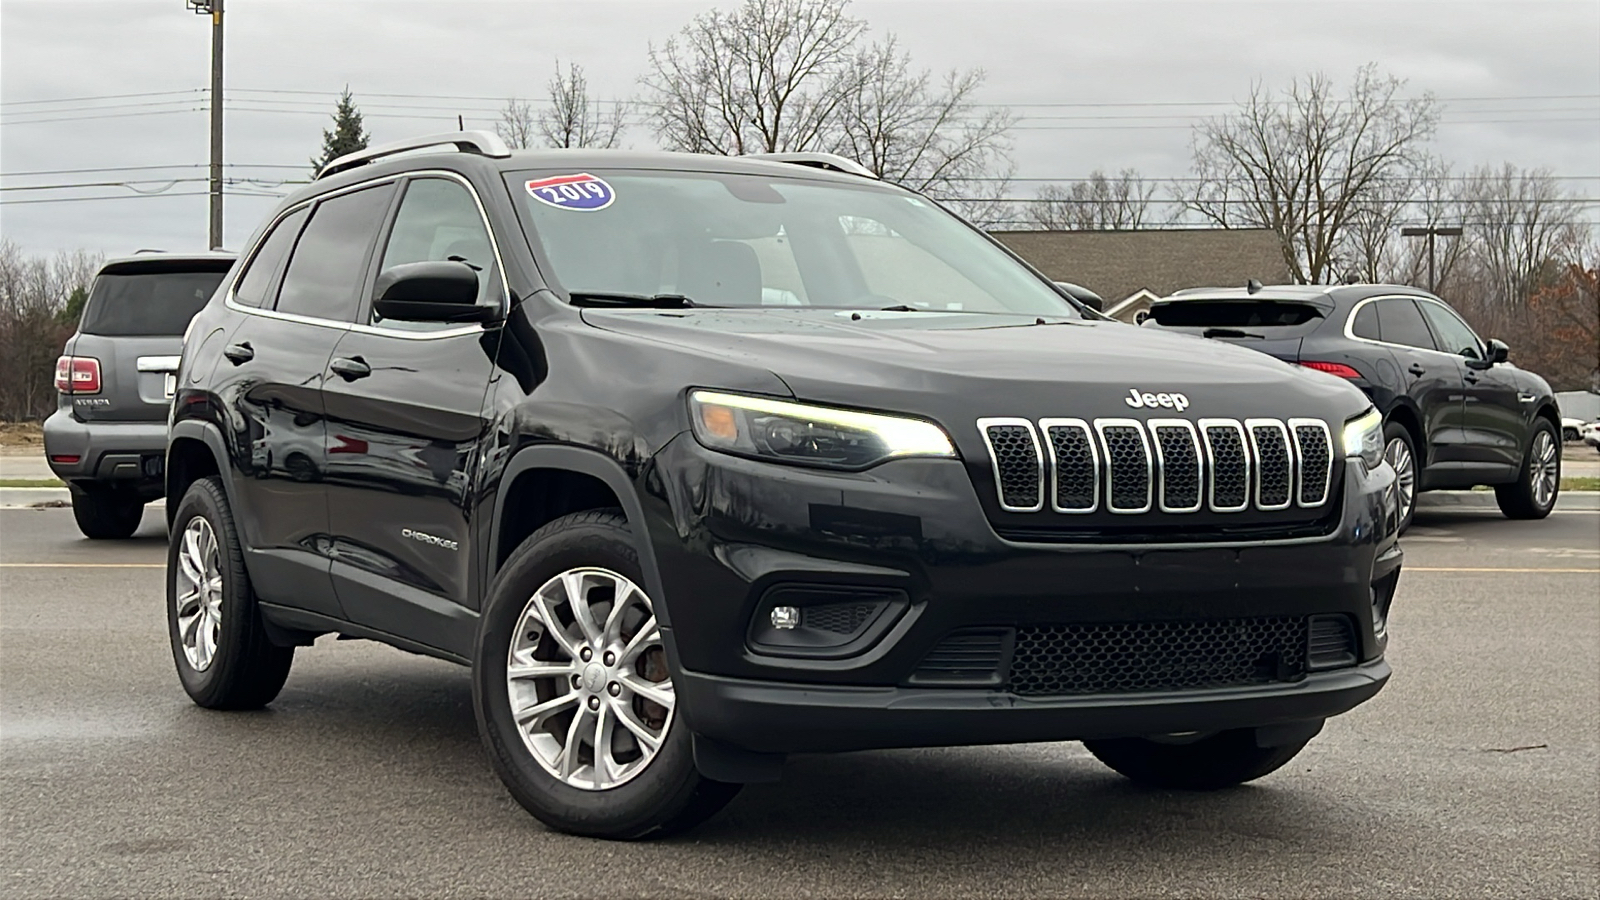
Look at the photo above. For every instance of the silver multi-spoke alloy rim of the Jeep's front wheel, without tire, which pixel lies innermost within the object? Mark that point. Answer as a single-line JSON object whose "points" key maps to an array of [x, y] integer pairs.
{"points": [[588, 680]]}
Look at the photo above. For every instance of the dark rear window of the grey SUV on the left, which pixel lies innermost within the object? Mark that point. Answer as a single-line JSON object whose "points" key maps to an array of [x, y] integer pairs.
{"points": [[148, 303]]}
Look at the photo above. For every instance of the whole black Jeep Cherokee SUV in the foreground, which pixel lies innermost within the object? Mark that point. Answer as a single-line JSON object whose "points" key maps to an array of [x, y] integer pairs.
{"points": [[700, 462]]}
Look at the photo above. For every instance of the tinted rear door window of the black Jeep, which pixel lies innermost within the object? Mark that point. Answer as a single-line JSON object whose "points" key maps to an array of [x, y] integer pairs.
{"points": [[330, 262]]}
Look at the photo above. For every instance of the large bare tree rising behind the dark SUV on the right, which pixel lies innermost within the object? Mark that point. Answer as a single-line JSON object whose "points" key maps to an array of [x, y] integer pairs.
{"points": [[1306, 161]]}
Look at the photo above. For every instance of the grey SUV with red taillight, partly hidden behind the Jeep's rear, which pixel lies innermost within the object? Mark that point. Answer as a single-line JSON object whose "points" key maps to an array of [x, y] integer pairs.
{"points": [[114, 380]]}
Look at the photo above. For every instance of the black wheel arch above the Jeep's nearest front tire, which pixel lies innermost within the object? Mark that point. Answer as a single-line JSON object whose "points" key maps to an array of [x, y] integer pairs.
{"points": [[572, 480]]}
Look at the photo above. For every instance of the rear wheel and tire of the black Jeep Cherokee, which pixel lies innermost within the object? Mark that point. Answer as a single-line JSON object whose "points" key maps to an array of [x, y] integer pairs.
{"points": [[220, 645]]}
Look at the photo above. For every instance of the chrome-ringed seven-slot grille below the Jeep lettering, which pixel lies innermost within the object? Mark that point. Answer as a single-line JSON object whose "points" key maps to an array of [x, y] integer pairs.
{"points": [[1174, 465]]}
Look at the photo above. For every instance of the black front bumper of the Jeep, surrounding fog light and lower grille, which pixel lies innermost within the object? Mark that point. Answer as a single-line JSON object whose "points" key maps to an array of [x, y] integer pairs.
{"points": [[726, 532]]}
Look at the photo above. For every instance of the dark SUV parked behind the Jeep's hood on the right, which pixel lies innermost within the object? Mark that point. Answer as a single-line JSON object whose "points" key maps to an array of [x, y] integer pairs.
{"points": [[1457, 414]]}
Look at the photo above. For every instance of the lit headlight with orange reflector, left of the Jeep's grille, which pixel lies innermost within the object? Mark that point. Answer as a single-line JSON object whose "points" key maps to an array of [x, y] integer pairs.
{"points": [[814, 436]]}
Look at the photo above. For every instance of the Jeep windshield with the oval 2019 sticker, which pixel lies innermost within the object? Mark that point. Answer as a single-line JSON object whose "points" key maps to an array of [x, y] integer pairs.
{"points": [[756, 241]]}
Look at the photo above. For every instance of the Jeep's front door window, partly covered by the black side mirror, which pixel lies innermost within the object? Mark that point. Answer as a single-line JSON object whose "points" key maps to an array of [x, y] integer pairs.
{"points": [[439, 220]]}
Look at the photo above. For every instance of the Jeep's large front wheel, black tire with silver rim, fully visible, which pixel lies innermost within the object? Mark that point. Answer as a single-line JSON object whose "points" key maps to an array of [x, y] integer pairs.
{"points": [[574, 694]]}
